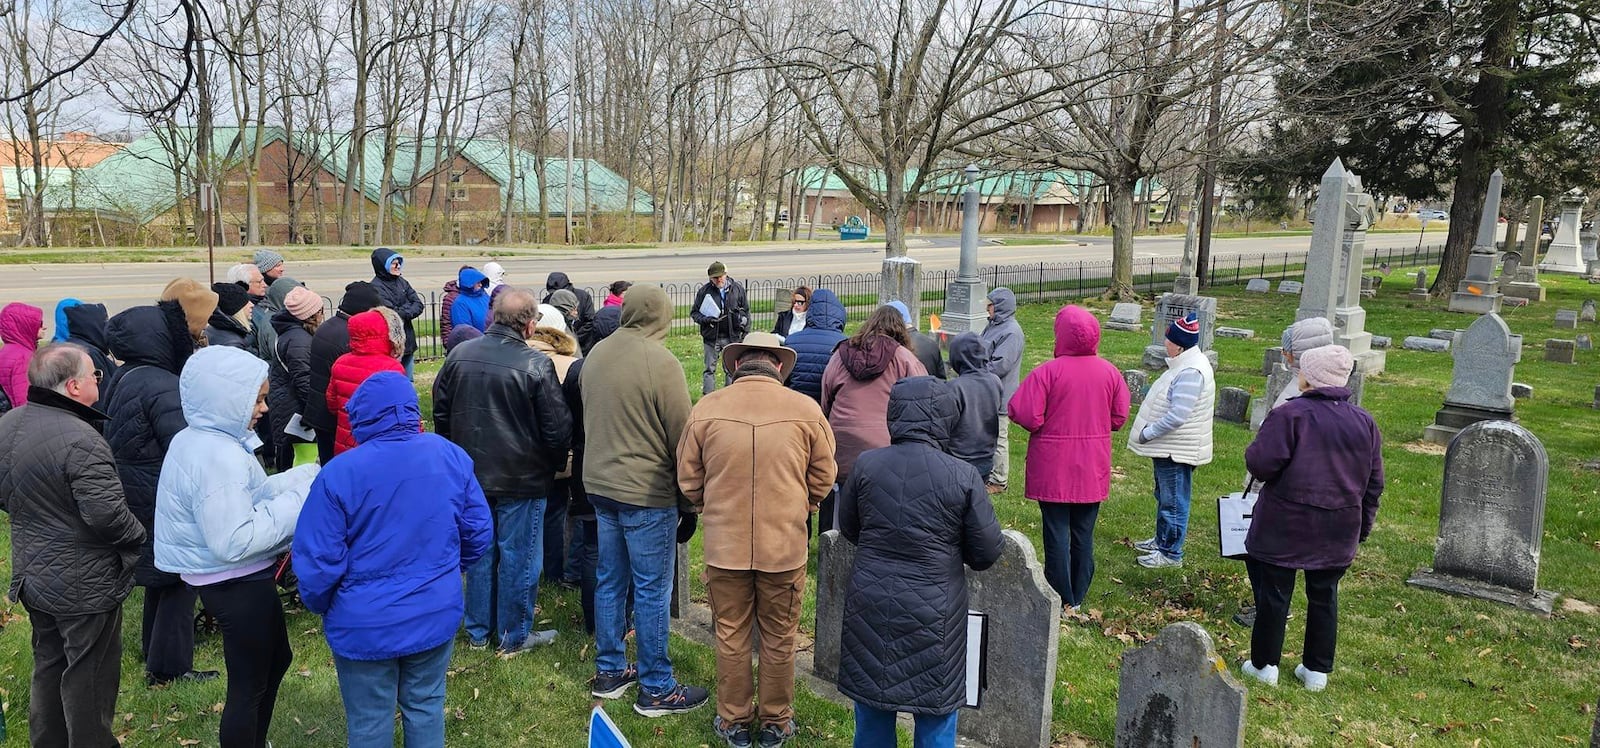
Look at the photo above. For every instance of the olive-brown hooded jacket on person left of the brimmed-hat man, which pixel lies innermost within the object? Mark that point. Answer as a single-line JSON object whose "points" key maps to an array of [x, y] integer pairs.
{"points": [[636, 405]]}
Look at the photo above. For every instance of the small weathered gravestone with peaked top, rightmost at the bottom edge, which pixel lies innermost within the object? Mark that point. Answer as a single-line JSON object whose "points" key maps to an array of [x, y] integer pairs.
{"points": [[1177, 693]]}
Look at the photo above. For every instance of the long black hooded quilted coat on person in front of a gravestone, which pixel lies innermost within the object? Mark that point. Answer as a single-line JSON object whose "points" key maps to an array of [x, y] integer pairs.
{"points": [[918, 519]]}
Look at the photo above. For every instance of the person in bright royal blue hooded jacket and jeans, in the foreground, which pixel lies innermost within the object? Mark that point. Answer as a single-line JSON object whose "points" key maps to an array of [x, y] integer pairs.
{"points": [[380, 551]]}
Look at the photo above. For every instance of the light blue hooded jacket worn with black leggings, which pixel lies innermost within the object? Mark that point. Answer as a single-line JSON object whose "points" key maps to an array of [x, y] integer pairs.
{"points": [[218, 515]]}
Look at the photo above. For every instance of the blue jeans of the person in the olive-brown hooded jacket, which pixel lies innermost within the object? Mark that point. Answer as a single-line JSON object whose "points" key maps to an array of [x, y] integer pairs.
{"points": [[636, 544]]}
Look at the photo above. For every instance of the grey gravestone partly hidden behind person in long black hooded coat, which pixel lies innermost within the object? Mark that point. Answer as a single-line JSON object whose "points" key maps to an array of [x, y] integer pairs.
{"points": [[1025, 631]]}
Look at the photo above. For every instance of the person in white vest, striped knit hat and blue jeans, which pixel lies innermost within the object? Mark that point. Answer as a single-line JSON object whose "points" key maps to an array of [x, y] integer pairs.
{"points": [[1175, 431]]}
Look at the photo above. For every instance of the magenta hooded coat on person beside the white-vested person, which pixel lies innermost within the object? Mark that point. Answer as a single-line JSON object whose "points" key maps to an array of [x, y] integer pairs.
{"points": [[1071, 405]]}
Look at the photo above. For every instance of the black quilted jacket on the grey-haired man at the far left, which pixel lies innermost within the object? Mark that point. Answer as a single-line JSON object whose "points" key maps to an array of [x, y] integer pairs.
{"points": [[74, 543]]}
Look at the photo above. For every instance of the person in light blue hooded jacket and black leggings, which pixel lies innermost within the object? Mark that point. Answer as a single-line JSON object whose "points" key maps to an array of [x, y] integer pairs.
{"points": [[222, 523]]}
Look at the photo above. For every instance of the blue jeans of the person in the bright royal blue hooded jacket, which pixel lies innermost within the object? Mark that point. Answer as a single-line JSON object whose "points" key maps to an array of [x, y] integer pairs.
{"points": [[372, 690]]}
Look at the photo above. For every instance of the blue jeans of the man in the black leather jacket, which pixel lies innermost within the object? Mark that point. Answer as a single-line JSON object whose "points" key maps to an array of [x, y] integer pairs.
{"points": [[503, 584]]}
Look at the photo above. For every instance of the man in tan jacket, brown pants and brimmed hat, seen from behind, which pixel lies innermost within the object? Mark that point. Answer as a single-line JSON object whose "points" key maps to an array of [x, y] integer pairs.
{"points": [[756, 460]]}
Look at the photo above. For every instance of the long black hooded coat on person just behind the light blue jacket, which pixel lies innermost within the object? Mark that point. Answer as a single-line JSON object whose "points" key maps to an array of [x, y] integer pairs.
{"points": [[146, 413]]}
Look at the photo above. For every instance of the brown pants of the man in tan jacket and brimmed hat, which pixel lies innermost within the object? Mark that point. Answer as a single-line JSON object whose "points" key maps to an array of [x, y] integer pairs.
{"points": [[742, 600]]}
